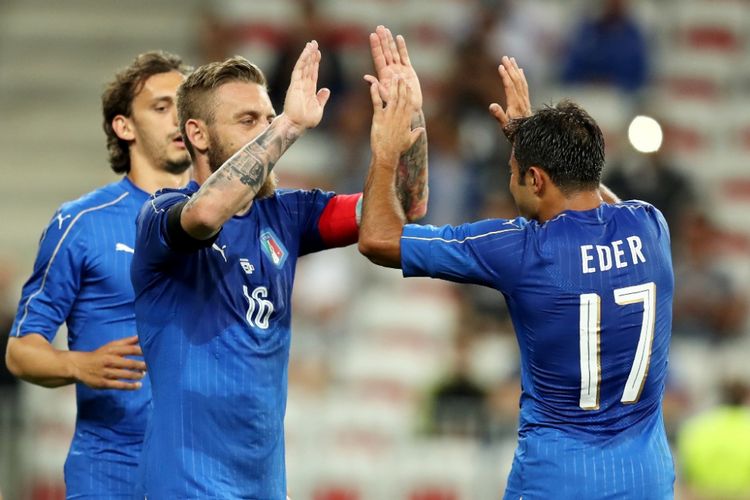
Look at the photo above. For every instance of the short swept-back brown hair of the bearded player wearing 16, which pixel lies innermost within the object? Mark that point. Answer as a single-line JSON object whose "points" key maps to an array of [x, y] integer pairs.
{"points": [[195, 95]]}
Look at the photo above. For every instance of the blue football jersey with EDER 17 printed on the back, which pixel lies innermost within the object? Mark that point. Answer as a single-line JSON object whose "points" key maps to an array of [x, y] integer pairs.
{"points": [[590, 296]]}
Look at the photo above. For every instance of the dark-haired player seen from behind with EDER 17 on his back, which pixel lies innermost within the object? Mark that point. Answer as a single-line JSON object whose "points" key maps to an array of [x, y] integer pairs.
{"points": [[589, 286]]}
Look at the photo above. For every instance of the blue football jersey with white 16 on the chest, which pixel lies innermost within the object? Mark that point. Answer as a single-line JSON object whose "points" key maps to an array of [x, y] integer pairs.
{"points": [[215, 331]]}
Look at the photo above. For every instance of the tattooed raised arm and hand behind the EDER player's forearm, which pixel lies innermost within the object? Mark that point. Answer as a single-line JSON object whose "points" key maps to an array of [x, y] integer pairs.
{"points": [[390, 57]]}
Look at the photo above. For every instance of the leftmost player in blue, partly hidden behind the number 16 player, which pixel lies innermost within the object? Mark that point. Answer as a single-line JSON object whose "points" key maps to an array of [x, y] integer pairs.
{"points": [[82, 277]]}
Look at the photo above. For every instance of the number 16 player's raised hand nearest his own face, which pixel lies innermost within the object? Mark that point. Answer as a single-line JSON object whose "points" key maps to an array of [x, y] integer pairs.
{"points": [[303, 105]]}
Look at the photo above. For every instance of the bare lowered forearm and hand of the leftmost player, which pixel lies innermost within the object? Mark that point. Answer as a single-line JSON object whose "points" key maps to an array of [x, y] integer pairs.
{"points": [[33, 359]]}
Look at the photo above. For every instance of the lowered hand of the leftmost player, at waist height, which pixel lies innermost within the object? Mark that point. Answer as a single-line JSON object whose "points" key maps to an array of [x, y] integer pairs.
{"points": [[105, 367]]}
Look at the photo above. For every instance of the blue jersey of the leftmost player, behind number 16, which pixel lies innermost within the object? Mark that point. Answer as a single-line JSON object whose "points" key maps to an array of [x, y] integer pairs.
{"points": [[82, 277]]}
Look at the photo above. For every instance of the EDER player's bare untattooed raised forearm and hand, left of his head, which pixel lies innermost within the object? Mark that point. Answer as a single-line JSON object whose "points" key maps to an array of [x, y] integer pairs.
{"points": [[383, 217]]}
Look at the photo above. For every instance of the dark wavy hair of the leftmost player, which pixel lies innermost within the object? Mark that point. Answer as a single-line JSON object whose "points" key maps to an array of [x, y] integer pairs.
{"points": [[118, 96]]}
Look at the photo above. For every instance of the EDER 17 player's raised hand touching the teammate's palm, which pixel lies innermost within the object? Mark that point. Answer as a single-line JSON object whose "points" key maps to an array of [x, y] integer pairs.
{"points": [[391, 132]]}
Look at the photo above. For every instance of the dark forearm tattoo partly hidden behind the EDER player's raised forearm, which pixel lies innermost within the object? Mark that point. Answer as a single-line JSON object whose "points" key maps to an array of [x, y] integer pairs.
{"points": [[411, 181]]}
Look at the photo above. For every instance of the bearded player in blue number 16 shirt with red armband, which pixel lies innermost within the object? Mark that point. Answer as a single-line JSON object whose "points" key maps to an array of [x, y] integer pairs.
{"points": [[213, 272]]}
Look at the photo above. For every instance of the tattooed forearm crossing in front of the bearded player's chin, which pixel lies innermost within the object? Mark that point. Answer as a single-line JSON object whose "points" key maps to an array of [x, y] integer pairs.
{"points": [[252, 164]]}
